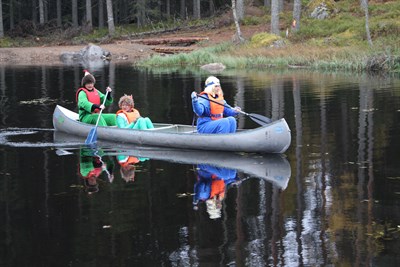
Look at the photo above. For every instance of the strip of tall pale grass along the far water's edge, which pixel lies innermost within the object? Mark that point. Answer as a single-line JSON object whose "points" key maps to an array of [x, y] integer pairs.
{"points": [[295, 56]]}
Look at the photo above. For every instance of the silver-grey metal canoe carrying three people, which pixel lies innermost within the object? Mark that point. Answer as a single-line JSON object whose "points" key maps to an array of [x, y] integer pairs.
{"points": [[272, 138]]}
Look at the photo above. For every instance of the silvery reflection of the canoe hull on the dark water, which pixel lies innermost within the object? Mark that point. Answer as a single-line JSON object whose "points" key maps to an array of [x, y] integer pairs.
{"points": [[273, 168]]}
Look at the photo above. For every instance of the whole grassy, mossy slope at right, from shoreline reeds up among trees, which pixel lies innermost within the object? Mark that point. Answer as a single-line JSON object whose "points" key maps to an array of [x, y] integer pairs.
{"points": [[338, 42]]}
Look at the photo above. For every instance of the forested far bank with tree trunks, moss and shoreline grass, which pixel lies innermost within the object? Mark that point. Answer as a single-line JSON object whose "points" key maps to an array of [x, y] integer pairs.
{"points": [[323, 34]]}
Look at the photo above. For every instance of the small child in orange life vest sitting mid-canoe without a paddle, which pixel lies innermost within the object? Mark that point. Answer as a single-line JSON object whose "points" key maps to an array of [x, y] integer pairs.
{"points": [[129, 117]]}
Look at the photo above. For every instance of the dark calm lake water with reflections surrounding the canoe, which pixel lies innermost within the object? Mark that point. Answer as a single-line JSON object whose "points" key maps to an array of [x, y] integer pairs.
{"points": [[331, 200]]}
